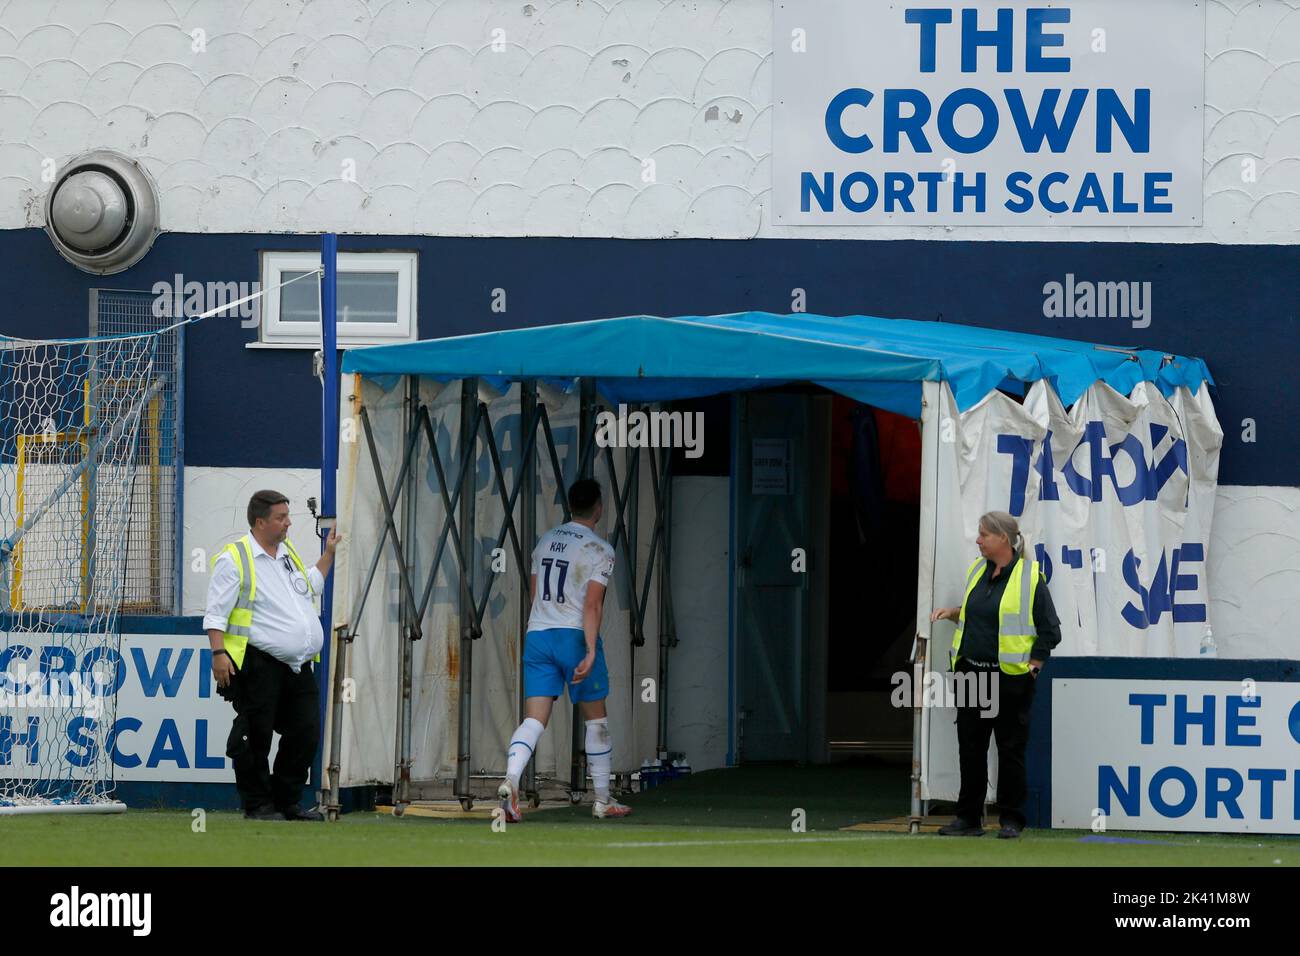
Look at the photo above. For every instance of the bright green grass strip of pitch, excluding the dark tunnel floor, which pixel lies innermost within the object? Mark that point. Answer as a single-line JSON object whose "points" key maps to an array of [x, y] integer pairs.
{"points": [[166, 838]]}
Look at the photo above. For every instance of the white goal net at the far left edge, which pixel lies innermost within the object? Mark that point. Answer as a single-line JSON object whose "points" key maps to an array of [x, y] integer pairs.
{"points": [[71, 444]]}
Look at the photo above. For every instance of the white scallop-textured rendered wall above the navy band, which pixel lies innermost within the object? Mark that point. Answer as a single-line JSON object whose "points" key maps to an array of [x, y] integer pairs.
{"points": [[547, 139]]}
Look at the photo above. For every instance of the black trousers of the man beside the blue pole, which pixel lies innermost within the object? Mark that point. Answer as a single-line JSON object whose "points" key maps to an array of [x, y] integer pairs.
{"points": [[268, 697]]}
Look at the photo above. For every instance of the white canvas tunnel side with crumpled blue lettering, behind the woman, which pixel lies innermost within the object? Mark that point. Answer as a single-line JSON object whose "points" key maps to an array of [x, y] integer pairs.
{"points": [[1115, 499]]}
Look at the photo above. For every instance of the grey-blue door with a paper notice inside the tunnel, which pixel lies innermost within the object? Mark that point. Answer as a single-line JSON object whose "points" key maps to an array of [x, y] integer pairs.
{"points": [[781, 487]]}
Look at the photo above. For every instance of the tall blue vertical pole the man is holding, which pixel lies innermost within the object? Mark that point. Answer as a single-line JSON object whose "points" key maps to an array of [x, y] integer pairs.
{"points": [[330, 464]]}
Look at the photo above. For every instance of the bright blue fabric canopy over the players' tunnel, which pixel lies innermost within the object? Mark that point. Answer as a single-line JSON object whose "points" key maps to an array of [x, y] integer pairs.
{"points": [[881, 362]]}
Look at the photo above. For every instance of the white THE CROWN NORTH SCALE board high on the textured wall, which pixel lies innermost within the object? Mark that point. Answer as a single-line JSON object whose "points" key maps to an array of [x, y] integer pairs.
{"points": [[1017, 114]]}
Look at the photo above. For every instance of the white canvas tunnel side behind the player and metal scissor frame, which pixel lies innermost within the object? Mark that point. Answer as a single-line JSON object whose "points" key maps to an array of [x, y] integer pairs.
{"points": [[374, 717]]}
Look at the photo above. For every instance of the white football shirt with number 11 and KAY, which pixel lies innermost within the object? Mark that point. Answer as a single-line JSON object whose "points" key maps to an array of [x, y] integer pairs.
{"points": [[567, 560]]}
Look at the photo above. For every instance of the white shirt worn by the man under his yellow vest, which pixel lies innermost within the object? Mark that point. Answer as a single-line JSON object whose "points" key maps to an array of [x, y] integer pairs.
{"points": [[285, 624]]}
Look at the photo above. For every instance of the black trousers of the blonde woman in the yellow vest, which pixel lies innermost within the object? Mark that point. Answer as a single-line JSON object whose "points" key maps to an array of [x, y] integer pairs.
{"points": [[1011, 726]]}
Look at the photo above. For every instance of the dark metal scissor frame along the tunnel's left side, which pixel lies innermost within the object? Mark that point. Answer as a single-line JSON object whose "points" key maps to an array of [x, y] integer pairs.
{"points": [[457, 501]]}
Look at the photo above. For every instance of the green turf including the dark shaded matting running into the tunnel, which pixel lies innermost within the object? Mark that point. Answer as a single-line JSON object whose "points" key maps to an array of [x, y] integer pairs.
{"points": [[733, 817]]}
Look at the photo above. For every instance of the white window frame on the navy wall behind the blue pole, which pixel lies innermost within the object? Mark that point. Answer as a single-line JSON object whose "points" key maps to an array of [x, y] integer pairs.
{"points": [[275, 334]]}
